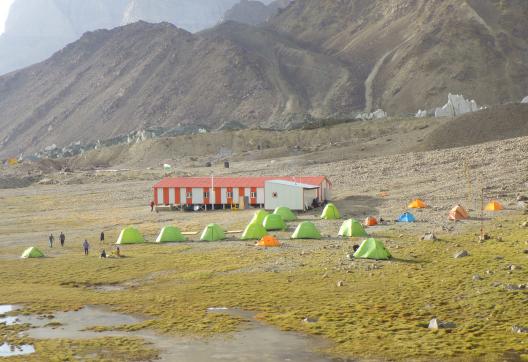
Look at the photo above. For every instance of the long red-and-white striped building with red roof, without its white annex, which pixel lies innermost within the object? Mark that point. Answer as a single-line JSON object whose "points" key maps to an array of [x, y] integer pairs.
{"points": [[226, 191]]}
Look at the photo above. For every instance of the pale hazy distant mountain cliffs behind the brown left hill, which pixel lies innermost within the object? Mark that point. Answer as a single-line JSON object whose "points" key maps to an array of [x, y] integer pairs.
{"points": [[36, 29]]}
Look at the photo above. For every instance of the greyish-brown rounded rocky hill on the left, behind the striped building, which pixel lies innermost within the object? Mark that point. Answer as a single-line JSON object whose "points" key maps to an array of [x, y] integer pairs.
{"points": [[145, 75]]}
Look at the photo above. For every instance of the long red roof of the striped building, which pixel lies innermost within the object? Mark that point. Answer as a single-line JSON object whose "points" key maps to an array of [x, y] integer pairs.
{"points": [[242, 181]]}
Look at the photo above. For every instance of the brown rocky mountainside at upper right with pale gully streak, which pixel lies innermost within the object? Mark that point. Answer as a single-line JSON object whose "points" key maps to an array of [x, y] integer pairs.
{"points": [[408, 54]]}
